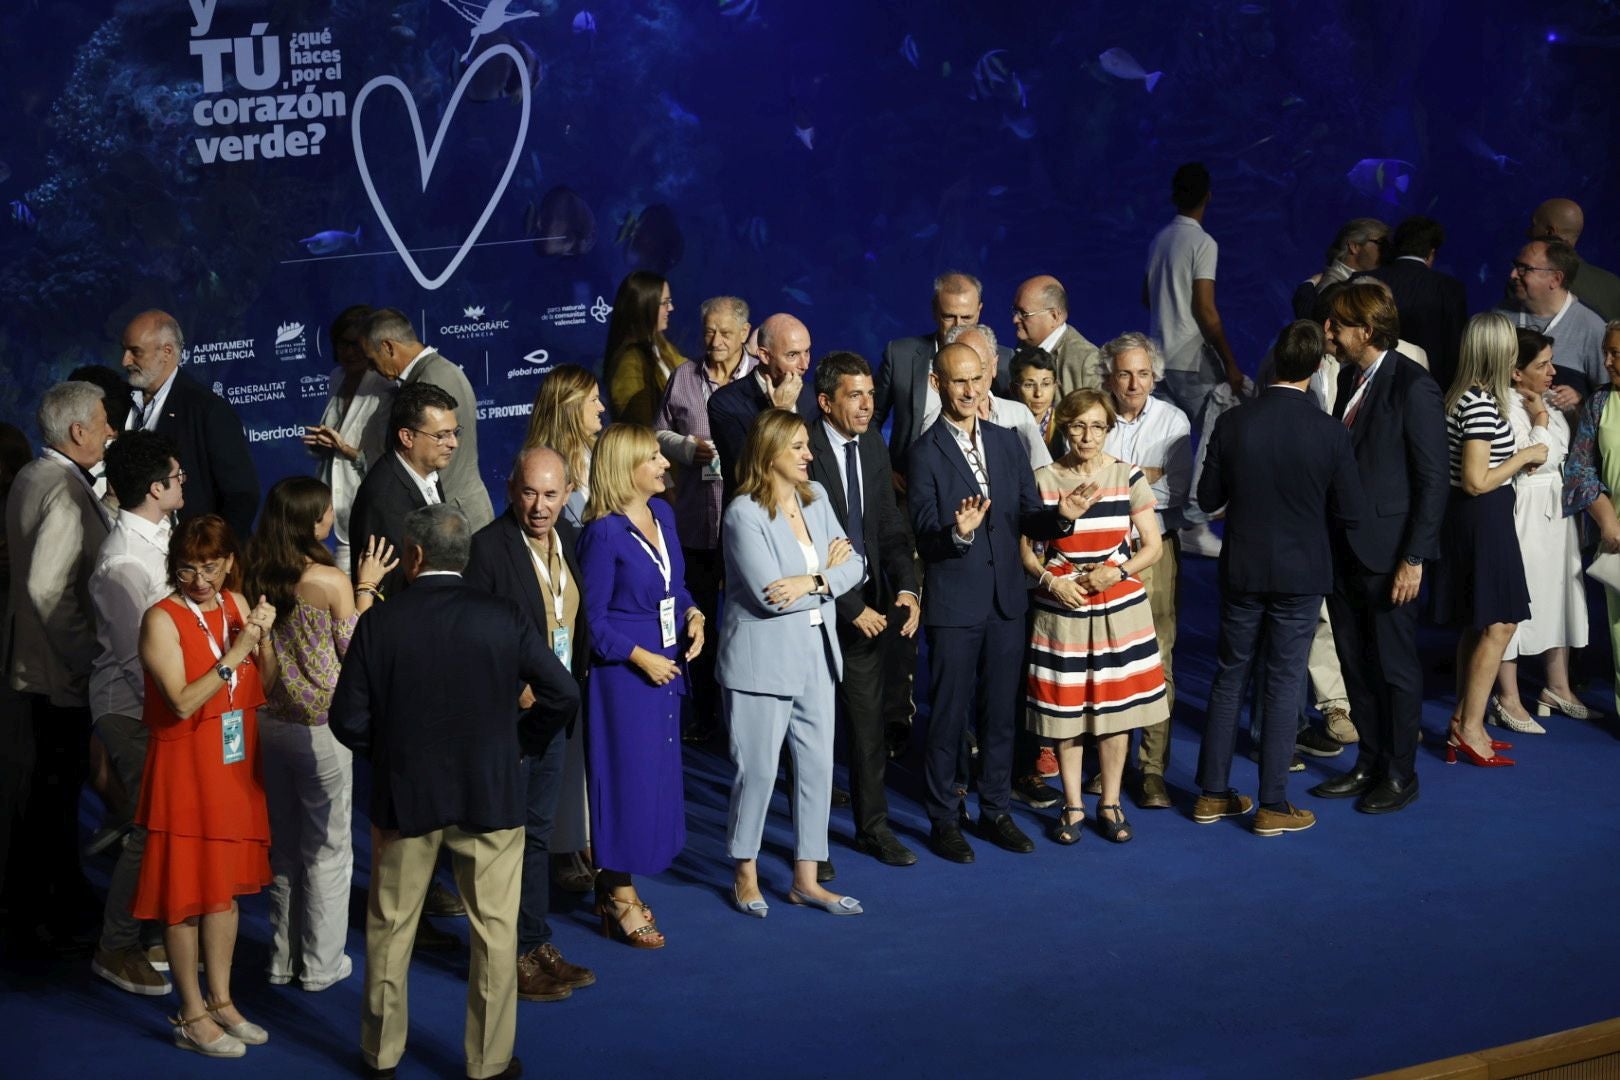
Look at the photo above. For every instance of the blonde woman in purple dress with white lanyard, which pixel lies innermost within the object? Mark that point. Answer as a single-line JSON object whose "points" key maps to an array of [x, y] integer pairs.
{"points": [[637, 605]]}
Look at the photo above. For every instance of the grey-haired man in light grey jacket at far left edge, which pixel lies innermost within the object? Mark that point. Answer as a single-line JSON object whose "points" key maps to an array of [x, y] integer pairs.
{"points": [[54, 529]]}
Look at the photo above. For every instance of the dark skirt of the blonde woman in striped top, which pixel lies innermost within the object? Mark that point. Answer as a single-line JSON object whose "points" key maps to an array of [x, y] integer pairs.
{"points": [[1481, 576]]}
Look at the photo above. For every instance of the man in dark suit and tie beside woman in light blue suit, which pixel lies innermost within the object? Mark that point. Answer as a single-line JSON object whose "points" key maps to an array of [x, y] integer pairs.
{"points": [[851, 464]]}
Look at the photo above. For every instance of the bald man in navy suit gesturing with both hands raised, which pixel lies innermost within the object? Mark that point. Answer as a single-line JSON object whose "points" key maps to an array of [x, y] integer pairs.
{"points": [[973, 495]]}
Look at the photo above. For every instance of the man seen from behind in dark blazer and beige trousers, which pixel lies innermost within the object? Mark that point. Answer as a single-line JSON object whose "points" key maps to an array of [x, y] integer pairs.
{"points": [[430, 694]]}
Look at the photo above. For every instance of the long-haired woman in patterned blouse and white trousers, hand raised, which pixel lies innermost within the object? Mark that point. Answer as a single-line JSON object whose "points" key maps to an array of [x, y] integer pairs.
{"points": [[309, 775]]}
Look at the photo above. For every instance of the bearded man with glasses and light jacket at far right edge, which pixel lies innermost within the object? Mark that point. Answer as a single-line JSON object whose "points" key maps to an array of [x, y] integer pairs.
{"points": [[1540, 299]]}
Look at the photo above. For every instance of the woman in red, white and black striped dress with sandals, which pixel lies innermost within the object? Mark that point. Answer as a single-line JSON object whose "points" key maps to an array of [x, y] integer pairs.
{"points": [[1094, 666]]}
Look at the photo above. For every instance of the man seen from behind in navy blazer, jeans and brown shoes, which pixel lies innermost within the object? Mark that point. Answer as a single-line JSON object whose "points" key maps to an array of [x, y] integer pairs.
{"points": [[1287, 475]]}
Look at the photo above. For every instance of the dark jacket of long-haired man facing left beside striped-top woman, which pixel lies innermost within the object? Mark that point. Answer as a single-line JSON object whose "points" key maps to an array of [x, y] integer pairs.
{"points": [[1405, 467]]}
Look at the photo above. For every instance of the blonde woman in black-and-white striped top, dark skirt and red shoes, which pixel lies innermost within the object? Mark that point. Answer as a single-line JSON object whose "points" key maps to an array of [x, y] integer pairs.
{"points": [[1481, 577]]}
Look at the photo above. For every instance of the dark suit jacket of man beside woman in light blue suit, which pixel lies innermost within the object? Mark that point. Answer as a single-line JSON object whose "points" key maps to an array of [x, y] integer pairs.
{"points": [[889, 545]]}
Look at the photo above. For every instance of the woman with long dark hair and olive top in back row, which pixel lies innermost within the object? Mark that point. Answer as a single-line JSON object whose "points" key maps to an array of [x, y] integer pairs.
{"points": [[639, 359]]}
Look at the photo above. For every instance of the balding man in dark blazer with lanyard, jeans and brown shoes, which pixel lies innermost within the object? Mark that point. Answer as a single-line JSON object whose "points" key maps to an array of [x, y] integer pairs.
{"points": [[529, 556]]}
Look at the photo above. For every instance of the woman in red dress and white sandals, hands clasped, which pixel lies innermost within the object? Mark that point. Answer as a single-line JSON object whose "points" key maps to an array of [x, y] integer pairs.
{"points": [[208, 661]]}
